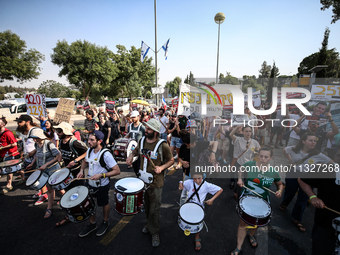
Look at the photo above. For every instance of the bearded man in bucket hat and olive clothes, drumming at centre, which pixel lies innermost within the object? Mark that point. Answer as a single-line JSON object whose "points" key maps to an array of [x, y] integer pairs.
{"points": [[153, 195]]}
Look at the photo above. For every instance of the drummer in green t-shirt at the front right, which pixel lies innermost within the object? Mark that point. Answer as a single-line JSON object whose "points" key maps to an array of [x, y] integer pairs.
{"points": [[260, 175]]}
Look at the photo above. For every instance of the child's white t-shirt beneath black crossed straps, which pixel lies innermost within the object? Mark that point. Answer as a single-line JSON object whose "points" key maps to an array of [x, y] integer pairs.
{"points": [[202, 193]]}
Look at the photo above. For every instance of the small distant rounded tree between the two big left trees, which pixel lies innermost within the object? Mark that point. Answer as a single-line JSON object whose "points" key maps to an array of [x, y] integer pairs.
{"points": [[54, 89]]}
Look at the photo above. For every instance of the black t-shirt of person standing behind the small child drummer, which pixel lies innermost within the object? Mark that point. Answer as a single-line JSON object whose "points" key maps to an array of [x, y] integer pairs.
{"points": [[191, 155]]}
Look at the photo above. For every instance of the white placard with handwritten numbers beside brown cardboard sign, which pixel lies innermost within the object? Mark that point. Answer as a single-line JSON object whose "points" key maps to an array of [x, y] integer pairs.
{"points": [[36, 105]]}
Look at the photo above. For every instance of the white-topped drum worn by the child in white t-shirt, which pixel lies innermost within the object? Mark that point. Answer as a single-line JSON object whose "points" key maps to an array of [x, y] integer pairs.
{"points": [[190, 218]]}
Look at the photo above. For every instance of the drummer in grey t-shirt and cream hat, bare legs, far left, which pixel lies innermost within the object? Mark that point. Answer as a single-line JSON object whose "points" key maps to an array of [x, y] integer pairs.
{"points": [[46, 159]]}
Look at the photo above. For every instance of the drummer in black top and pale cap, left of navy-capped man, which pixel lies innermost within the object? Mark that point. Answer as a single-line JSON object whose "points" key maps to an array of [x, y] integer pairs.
{"points": [[72, 153]]}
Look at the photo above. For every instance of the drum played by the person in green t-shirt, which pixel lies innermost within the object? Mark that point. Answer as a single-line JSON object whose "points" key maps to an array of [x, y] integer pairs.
{"points": [[254, 210]]}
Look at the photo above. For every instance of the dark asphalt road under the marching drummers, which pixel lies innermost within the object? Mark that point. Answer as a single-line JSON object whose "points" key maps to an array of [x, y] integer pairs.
{"points": [[24, 231]]}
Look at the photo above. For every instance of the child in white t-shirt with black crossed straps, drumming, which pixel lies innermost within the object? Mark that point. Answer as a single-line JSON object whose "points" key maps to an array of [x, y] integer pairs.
{"points": [[203, 188]]}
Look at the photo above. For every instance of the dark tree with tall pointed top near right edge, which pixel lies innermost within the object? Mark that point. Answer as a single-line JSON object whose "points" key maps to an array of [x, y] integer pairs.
{"points": [[323, 57]]}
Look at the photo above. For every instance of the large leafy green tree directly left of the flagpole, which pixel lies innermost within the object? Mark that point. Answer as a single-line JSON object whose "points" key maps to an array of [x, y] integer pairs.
{"points": [[132, 74]]}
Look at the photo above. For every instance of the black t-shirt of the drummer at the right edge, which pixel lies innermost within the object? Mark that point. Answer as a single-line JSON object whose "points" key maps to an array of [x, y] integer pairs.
{"points": [[329, 193]]}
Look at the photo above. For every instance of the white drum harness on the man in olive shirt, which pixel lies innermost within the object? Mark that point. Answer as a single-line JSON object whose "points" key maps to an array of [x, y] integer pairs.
{"points": [[143, 174]]}
